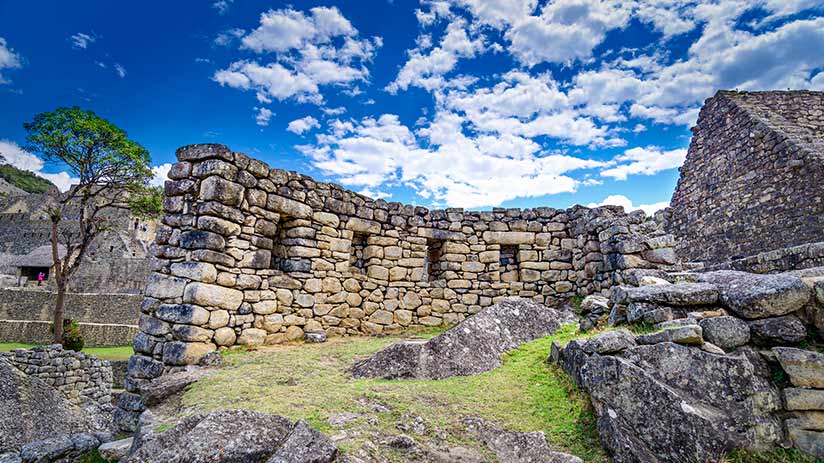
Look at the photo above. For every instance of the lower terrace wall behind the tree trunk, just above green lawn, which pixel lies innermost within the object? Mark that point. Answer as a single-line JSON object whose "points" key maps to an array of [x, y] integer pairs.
{"points": [[39, 332]]}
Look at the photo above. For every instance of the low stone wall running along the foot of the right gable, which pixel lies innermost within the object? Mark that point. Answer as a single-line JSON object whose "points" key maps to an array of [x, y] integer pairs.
{"points": [[800, 257]]}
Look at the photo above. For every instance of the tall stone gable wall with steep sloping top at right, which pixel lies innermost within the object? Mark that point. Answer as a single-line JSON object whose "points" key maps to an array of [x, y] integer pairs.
{"points": [[752, 179]]}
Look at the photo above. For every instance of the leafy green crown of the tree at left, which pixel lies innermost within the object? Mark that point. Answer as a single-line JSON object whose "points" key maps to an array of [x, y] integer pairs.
{"points": [[95, 150]]}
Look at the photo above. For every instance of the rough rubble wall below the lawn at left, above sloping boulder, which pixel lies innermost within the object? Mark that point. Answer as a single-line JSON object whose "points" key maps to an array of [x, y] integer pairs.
{"points": [[80, 377]]}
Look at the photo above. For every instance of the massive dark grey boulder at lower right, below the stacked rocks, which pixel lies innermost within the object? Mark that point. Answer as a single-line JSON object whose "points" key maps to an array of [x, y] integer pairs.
{"points": [[690, 404]]}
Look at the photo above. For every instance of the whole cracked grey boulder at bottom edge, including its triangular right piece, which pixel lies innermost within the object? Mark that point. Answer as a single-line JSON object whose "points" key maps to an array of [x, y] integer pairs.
{"points": [[231, 436]]}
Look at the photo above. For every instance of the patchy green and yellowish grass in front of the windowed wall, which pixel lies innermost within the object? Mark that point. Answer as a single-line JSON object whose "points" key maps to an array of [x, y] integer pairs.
{"points": [[310, 382]]}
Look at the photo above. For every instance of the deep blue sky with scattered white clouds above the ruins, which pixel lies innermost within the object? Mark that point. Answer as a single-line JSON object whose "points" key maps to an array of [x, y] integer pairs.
{"points": [[465, 103]]}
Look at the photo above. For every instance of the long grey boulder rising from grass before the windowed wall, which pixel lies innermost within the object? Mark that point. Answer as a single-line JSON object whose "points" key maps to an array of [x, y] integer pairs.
{"points": [[471, 347]]}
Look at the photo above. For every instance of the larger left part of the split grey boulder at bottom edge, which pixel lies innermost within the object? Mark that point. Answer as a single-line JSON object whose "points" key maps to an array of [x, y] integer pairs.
{"points": [[234, 436]]}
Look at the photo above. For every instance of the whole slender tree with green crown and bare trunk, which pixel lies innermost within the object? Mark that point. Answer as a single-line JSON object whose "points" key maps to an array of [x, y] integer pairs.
{"points": [[112, 170]]}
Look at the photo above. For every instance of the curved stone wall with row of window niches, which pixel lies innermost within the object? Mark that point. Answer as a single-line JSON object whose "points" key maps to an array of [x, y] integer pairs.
{"points": [[252, 255]]}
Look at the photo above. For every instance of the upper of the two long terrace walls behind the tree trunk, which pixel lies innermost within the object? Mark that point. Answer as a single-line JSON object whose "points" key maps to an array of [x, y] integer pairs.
{"points": [[36, 304]]}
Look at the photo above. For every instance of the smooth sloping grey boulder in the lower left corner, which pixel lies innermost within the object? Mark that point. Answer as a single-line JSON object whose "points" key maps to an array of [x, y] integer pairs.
{"points": [[31, 410]]}
